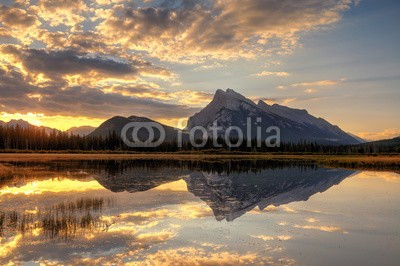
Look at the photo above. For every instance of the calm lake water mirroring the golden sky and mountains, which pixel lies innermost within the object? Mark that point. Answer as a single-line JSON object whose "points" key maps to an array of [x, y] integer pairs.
{"points": [[172, 212]]}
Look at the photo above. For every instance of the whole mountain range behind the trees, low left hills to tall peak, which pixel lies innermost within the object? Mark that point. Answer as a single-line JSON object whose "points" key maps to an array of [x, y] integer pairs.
{"points": [[227, 109]]}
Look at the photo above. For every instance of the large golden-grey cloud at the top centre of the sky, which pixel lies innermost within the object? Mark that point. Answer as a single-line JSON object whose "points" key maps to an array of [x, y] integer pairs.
{"points": [[220, 29]]}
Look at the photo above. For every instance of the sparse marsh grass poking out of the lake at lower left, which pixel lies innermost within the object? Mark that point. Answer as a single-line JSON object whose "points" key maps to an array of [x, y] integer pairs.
{"points": [[63, 221]]}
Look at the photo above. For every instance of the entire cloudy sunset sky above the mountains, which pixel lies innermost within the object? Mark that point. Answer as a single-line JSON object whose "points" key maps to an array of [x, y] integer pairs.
{"points": [[73, 63]]}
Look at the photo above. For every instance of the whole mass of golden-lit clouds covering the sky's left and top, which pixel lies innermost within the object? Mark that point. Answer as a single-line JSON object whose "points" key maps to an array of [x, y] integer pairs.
{"points": [[107, 57]]}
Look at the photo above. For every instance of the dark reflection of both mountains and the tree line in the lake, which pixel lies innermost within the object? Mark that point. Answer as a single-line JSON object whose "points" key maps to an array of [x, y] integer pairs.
{"points": [[229, 188]]}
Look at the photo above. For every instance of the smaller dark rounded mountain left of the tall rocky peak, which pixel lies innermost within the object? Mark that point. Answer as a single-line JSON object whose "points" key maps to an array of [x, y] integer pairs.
{"points": [[118, 122]]}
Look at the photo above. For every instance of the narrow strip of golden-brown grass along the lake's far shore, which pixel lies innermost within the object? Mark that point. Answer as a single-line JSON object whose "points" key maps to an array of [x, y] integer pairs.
{"points": [[376, 162]]}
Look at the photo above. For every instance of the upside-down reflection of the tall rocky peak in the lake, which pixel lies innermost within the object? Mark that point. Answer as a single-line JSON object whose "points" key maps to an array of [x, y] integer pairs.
{"points": [[232, 195]]}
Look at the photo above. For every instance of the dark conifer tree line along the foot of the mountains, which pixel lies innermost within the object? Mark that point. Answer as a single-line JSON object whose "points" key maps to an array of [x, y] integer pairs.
{"points": [[37, 139]]}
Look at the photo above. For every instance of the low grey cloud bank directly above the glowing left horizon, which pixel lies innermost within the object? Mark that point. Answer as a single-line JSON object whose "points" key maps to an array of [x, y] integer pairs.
{"points": [[80, 101]]}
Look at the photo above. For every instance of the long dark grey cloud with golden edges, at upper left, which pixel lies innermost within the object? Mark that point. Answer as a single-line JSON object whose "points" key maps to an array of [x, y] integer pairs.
{"points": [[77, 68]]}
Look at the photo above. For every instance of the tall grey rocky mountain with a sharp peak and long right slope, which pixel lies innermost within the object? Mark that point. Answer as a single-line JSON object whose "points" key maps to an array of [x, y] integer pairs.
{"points": [[229, 108]]}
